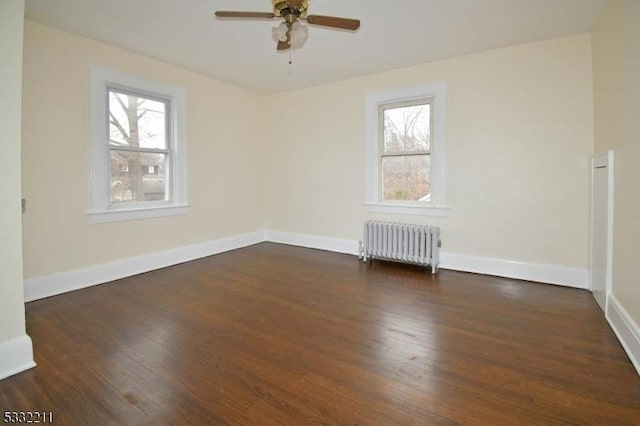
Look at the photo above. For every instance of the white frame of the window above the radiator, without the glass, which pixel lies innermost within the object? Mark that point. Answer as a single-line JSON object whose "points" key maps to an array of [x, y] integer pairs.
{"points": [[435, 94]]}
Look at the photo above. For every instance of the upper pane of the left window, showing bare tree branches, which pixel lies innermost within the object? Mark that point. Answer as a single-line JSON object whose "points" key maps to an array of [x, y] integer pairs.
{"points": [[136, 121]]}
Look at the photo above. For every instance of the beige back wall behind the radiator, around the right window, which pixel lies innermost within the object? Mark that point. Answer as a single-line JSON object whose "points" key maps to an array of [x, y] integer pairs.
{"points": [[520, 133]]}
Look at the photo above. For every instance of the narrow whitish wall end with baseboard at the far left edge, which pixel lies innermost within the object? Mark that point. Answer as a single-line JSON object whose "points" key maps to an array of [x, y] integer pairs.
{"points": [[15, 346]]}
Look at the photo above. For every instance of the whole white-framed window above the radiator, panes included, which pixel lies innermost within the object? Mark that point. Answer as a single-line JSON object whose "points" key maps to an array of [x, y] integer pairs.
{"points": [[406, 151]]}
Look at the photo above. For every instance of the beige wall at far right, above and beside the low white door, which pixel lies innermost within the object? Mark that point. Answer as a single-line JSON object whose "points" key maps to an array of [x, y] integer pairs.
{"points": [[616, 64]]}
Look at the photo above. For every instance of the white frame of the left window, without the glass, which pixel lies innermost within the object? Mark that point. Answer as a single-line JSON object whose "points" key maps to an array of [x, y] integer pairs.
{"points": [[101, 209]]}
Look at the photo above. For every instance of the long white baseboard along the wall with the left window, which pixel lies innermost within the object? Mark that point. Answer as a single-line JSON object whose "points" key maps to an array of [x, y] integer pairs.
{"points": [[51, 285]]}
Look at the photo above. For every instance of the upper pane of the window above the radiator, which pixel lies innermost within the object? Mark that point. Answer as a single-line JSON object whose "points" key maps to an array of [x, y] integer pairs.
{"points": [[407, 129]]}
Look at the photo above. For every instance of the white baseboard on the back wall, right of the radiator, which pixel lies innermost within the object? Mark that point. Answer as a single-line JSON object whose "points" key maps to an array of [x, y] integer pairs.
{"points": [[543, 273]]}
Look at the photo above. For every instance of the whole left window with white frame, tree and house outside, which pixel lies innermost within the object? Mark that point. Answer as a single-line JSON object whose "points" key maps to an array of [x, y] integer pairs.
{"points": [[137, 148]]}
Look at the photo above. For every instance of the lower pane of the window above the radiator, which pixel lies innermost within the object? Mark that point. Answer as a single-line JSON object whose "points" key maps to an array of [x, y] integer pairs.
{"points": [[406, 178]]}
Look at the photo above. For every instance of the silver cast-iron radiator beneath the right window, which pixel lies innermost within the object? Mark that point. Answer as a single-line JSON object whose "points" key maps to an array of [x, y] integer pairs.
{"points": [[401, 242]]}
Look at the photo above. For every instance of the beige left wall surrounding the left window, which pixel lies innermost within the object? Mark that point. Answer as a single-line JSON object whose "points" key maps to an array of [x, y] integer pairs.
{"points": [[224, 158]]}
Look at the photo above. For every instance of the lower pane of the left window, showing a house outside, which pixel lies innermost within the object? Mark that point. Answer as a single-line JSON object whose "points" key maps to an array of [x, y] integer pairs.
{"points": [[137, 176]]}
